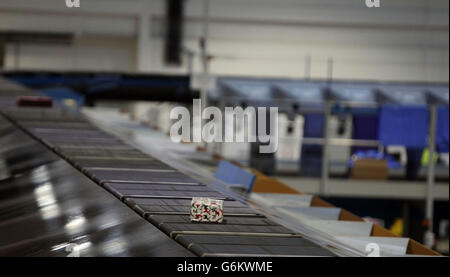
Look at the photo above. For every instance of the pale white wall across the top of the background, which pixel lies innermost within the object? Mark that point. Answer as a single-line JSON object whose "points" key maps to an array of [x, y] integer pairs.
{"points": [[402, 40]]}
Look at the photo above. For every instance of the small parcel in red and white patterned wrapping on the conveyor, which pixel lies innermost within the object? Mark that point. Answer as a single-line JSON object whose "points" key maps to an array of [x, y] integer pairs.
{"points": [[206, 210]]}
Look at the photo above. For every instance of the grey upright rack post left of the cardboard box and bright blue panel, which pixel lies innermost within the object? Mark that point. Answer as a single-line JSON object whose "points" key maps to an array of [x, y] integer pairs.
{"points": [[326, 140]]}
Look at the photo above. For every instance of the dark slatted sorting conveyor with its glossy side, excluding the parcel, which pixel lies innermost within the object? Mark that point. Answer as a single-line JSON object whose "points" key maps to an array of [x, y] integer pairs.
{"points": [[66, 184]]}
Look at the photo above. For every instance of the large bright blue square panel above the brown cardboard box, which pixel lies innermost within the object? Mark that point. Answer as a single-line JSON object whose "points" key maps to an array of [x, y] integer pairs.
{"points": [[403, 125]]}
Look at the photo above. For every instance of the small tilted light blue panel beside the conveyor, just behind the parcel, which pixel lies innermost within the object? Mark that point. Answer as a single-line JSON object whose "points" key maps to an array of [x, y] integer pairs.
{"points": [[235, 175]]}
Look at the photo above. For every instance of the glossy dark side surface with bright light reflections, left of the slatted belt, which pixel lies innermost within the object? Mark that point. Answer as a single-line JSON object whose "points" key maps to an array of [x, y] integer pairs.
{"points": [[47, 205]]}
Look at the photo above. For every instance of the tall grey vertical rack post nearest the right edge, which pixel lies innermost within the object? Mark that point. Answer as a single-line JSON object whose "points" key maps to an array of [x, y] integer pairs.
{"points": [[429, 208]]}
